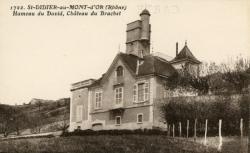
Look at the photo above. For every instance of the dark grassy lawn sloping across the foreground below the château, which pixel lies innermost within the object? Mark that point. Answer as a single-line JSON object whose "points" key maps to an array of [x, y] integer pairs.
{"points": [[104, 144]]}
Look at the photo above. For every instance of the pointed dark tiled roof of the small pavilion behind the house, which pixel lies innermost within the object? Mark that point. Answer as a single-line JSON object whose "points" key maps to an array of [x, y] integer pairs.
{"points": [[185, 54]]}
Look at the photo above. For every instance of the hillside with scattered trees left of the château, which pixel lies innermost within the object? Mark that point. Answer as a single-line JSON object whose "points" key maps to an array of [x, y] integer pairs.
{"points": [[37, 116]]}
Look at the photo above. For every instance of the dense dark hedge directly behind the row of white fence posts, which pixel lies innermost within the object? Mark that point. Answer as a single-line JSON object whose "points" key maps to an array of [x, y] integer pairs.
{"points": [[213, 108]]}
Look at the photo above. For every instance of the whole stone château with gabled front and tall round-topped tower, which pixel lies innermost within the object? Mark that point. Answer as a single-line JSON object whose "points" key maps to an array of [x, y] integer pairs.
{"points": [[125, 97]]}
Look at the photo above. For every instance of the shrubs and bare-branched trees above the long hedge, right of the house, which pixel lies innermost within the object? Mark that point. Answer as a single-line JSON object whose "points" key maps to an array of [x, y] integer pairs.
{"points": [[216, 78]]}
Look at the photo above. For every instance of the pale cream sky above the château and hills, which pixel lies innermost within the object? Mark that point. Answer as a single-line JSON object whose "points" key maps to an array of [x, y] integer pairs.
{"points": [[40, 57]]}
